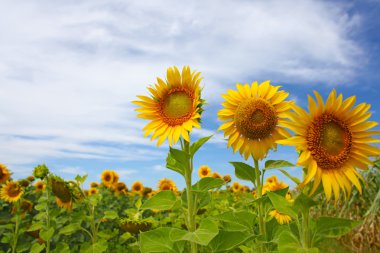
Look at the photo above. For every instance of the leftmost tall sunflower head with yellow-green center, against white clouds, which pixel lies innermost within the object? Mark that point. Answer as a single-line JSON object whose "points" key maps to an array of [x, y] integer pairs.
{"points": [[174, 106]]}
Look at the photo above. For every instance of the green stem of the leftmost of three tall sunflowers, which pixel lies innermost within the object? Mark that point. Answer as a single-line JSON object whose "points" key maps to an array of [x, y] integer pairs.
{"points": [[190, 203]]}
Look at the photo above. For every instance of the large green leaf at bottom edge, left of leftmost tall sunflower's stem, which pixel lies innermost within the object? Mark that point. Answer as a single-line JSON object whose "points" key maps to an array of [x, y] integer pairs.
{"points": [[158, 240]]}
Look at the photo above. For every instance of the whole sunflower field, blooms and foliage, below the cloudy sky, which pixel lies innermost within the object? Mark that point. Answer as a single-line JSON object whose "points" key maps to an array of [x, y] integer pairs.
{"points": [[334, 207]]}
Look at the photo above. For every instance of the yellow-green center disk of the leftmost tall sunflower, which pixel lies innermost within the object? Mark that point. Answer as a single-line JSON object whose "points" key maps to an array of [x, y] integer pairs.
{"points": [[177, 107]]}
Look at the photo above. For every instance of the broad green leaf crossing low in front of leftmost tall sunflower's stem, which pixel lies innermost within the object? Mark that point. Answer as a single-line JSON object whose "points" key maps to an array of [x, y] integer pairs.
{"points": [[207, 230]]}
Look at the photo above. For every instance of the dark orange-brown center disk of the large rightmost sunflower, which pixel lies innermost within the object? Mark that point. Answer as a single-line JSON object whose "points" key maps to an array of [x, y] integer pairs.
{"points": [[330, 141]]}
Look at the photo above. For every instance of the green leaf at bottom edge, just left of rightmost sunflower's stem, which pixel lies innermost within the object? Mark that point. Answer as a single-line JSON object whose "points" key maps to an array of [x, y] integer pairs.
{"points": [[289, 243]]}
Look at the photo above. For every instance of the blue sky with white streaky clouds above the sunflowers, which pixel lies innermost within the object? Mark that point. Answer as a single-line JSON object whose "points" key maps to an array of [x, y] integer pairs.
{"points": [[69, 71]]}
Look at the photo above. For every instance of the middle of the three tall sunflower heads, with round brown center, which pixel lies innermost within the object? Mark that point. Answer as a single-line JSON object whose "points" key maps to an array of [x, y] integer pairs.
{"points": [[254, 116]]}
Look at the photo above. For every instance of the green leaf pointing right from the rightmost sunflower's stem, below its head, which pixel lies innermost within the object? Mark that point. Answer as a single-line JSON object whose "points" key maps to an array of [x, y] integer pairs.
{"points": [[331, 227]]}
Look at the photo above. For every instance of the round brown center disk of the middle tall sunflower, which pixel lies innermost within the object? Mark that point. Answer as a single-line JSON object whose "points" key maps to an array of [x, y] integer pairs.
{"points": [[255, 118]]}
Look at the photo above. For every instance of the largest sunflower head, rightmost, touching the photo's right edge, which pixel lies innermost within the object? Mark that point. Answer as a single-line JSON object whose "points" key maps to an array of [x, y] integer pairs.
{"points": [[333, 139]]}
